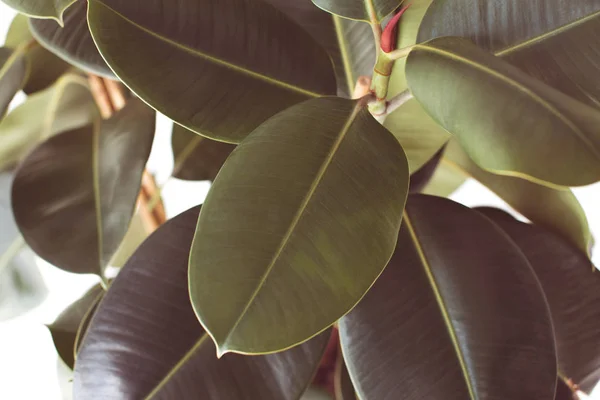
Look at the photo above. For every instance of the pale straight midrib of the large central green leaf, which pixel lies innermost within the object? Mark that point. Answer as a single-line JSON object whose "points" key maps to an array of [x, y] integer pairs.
{"points": [[297, 217]]}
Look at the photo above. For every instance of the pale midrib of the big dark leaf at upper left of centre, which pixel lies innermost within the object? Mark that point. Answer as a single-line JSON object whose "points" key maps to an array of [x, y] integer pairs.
{"points": [[214, 59]]}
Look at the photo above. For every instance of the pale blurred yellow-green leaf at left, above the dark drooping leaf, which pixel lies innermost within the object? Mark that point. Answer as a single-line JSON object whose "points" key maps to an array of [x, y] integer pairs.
{"points": [[67, 105]]}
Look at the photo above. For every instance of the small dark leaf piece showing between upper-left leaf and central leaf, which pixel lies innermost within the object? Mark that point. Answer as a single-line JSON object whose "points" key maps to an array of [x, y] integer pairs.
{"points": [[197, 158]]}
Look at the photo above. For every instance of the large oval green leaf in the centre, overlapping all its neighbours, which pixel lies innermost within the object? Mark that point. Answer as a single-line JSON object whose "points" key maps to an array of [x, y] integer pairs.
{"points": [[299, 223]]}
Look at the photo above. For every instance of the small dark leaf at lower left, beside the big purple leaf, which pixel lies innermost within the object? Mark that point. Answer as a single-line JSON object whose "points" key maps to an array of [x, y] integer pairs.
{"points": [[65, 328]]}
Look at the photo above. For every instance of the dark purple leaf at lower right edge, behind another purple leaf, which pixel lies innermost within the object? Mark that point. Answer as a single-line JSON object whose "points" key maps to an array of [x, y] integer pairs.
{"points": [[571, 287]]}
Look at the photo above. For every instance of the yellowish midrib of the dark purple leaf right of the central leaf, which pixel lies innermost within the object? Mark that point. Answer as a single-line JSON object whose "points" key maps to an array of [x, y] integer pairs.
{"points": [[441, 304]]}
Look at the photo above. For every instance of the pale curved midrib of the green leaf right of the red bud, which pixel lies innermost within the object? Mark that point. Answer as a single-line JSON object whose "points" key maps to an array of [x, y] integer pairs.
{"points": [[534, 96]]}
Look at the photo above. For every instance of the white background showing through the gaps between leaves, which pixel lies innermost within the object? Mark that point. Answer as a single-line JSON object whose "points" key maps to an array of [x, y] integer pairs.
{"points": [[29, 367]]}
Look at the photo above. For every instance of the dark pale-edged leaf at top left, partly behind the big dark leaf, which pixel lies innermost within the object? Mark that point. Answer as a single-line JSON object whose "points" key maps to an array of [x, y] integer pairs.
{"points": [[73, 42]]}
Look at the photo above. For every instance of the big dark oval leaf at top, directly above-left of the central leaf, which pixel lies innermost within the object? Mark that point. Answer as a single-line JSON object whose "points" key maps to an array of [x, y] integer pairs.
{"points": [[218, 79]]}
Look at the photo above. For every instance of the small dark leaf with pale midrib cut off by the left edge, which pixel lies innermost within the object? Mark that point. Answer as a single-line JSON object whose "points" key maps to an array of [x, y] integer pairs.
{"points": [[13, 73]]}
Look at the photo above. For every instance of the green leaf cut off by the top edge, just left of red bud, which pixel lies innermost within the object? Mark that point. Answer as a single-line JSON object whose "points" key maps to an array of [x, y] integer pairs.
{"points": [[365, 10]]}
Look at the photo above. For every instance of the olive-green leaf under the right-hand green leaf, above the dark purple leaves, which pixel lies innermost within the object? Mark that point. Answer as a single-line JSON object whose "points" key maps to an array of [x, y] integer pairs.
{"points": [[556, 210]]}
